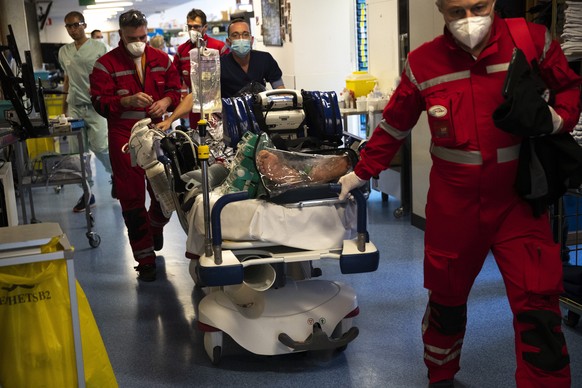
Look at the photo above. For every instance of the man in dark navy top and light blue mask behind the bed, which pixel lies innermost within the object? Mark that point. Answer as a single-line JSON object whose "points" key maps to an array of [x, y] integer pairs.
{"points": [[244, 65]]}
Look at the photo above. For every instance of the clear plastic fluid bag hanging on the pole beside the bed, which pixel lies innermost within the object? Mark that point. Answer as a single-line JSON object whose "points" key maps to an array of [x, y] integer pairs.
{"points": [[205, 77]]}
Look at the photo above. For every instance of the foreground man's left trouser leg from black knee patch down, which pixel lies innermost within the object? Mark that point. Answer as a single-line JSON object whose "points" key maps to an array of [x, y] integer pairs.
{"points": [[443, 330]]}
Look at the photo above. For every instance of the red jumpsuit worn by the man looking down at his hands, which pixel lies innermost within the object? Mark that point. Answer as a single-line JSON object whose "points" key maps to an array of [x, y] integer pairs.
{"points": [[115, 76]]}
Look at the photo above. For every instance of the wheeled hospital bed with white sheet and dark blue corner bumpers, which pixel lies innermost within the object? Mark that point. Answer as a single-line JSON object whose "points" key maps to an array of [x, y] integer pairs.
{"points": [[256, 260]]}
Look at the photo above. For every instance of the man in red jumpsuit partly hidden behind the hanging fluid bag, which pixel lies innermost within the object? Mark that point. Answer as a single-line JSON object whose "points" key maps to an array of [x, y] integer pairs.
{"points": [[197, 27]]}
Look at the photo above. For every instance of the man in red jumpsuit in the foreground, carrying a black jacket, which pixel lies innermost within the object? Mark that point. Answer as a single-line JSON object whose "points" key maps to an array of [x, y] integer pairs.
{"points": [[472, 206]]}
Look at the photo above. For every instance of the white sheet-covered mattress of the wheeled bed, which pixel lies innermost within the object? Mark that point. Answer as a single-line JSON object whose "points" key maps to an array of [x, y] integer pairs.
{"points": [[310, 228]]}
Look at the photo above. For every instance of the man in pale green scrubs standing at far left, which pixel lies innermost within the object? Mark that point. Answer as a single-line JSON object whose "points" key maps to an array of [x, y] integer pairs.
{"points": [[77, 60]]}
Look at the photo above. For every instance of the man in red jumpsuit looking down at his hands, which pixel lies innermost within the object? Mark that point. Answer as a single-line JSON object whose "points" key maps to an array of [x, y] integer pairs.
{"points": [[132, 82]]}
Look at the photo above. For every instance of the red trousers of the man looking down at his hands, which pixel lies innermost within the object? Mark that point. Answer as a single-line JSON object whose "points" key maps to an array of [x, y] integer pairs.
{"points": [[130, 185]]}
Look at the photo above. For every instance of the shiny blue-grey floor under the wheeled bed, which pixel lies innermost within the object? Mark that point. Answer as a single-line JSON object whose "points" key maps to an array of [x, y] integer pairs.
{"points": [[150, 332]]}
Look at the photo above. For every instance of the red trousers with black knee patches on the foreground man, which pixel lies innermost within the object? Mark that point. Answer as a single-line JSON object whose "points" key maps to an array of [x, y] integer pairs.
{"points": [[461, 230]]}
